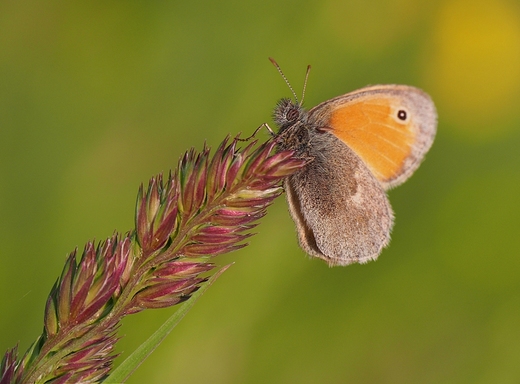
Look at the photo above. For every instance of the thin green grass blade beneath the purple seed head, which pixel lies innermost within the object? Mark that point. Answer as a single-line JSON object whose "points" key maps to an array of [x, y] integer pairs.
{"points": [[132, 362]]}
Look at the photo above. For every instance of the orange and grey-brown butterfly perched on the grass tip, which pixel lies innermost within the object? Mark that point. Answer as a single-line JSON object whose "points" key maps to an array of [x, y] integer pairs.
{"points": [[357, 145]]}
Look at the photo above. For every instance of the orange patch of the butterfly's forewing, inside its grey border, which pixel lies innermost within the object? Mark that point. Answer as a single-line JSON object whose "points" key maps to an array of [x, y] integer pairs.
{"points": [[369, 127]]}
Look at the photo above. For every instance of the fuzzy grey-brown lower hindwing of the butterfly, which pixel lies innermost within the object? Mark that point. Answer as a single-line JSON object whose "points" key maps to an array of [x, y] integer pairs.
{"points": [[341, 211]]}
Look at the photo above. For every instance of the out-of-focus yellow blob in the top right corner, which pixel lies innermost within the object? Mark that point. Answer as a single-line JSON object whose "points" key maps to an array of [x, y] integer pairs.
{"points": [[475, 66]]}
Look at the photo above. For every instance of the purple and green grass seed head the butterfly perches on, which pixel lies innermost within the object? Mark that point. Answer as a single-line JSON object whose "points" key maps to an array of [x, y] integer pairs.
{"points": [[205, 208]]}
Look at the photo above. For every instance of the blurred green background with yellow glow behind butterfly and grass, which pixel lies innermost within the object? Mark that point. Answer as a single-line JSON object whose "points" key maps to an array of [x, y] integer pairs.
{"points": [[96, 97]]}
